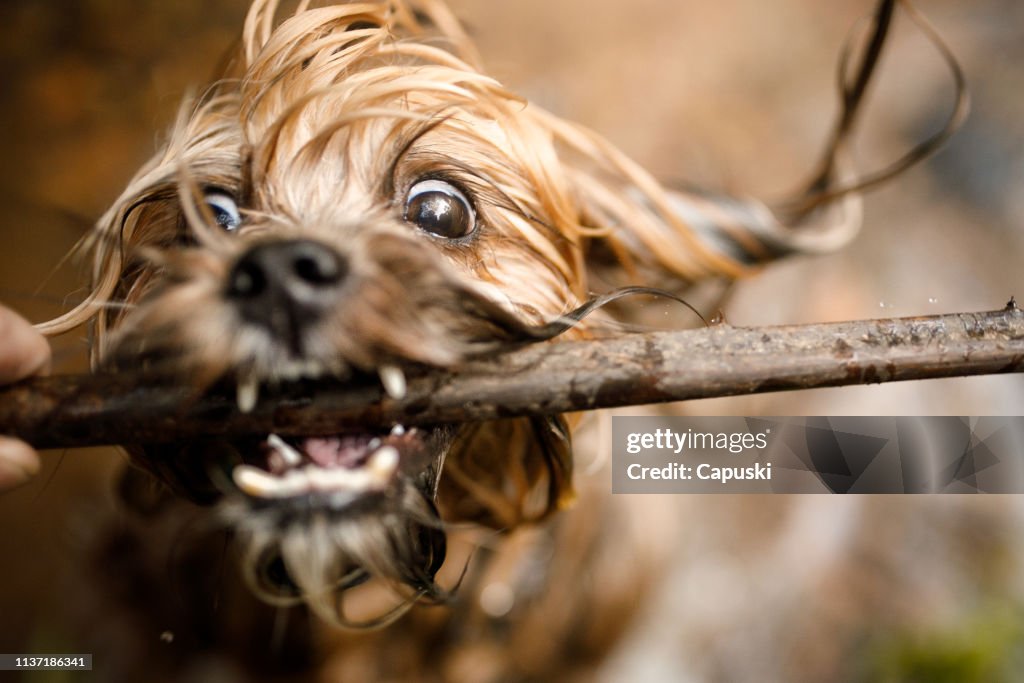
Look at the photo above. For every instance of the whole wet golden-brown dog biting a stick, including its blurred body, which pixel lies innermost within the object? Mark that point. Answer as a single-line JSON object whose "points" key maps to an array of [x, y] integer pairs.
{"points": [[356, 199]]}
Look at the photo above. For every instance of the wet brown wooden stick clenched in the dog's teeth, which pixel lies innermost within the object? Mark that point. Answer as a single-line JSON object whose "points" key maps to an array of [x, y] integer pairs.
{"points": [[545, 379]]}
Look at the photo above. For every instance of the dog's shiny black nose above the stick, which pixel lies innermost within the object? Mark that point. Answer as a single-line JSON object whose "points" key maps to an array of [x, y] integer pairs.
{"points": [[287, 286]]}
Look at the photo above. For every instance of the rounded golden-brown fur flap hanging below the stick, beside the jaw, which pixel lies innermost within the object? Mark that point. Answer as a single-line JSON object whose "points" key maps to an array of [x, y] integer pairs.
{"points": [[508, 473]]}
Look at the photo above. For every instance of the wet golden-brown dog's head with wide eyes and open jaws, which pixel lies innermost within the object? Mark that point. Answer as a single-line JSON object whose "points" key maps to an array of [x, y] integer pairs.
{"points": [[356, 198]]}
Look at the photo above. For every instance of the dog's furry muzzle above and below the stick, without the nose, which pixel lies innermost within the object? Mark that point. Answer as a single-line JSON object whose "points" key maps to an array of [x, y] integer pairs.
{"points": [[319, 515]]}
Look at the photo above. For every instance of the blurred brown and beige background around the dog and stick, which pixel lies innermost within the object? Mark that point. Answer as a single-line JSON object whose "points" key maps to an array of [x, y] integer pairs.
{"points": [[736, 96]]}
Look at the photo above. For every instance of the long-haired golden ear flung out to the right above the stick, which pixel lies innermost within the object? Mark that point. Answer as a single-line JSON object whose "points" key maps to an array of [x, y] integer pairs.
{"points": [[638, 232]]}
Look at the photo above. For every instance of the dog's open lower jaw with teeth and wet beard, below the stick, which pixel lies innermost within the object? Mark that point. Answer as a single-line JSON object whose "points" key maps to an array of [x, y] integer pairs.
{"points": [[349, 527]]}
